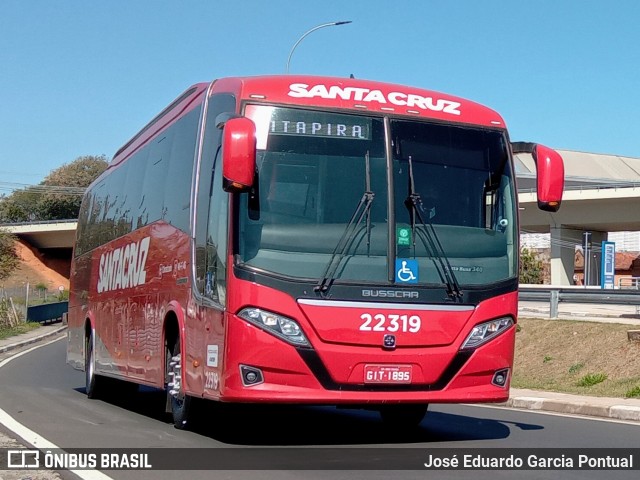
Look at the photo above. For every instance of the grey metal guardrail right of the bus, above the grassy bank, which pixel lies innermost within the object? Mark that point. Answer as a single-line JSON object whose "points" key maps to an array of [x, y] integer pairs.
{"points": [[555, 295]]}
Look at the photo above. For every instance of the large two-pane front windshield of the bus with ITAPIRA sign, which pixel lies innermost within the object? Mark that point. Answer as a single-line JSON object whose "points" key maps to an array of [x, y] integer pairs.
{"points": [[368, 200]]}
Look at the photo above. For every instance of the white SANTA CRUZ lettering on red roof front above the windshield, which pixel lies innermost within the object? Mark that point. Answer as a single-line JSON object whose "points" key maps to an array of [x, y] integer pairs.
{"points": [[359, 94]]}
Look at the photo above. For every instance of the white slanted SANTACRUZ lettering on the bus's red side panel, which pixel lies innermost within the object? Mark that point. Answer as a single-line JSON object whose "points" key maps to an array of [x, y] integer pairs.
{"points": [[123, 267]]}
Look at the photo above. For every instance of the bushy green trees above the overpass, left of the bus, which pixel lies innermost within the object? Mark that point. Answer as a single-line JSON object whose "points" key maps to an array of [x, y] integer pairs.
{"points": [[58, 196]]}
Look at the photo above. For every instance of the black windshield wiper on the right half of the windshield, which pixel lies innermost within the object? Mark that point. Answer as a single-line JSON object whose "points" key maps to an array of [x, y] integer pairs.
{"points": [[430, 238]]}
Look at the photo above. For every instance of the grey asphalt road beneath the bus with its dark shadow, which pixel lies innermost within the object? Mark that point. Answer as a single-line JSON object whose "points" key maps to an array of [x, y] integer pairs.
{"points": [[45, 395]]}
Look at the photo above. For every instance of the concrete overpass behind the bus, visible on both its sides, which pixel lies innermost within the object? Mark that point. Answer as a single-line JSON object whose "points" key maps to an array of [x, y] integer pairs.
{"points": [[602, 194]]}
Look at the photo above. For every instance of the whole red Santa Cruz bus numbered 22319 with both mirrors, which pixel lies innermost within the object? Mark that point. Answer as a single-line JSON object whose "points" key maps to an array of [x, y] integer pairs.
{"points": [[306, 240]]}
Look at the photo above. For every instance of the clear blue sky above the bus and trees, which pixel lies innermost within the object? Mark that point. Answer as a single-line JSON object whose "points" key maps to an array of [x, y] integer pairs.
{"points": [[81, 77]]}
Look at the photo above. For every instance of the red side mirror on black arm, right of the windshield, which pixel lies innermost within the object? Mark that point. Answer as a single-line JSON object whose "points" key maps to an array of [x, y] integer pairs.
{"points": [[550, 174]]}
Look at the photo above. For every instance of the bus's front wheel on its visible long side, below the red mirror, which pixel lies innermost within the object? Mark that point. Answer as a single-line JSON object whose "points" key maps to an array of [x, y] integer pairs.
{"points": [[178, 404]]}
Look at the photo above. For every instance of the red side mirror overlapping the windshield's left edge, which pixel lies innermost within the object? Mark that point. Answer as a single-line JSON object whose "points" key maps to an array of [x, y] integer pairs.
{"points": [[238, 154]]}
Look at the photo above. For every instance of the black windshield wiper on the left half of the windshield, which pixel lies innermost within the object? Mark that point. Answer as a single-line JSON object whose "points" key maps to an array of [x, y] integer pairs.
{"points": [[348, 236]]}
